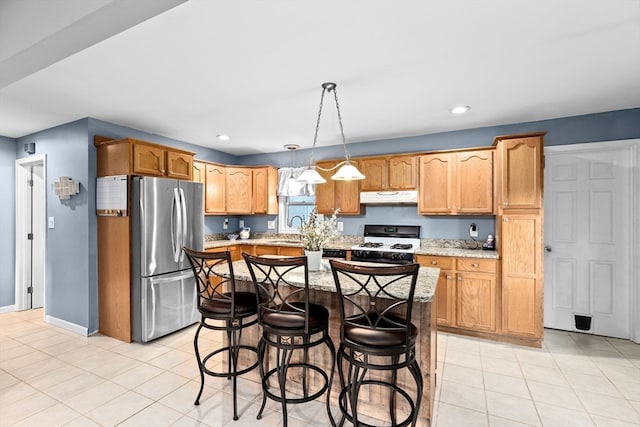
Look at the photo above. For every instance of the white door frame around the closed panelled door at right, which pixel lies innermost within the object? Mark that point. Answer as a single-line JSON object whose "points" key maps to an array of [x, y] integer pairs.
{"points": [[633, 145]]}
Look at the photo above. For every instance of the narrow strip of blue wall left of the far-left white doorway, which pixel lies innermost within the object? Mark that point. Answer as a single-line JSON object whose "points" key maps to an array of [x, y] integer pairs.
{"points": [[7, 221]]}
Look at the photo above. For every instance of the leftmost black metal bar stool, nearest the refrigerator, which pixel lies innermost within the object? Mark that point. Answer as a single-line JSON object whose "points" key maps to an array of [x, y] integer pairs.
{"points": [[218, 300]]}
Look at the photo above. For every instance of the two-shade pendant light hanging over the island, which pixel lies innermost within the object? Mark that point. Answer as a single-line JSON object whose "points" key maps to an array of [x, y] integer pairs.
{"points": [[347, 171]]}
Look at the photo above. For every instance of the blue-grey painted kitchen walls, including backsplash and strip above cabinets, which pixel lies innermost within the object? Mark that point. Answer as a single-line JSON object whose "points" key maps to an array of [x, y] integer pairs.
{"points": [[71, 268]]}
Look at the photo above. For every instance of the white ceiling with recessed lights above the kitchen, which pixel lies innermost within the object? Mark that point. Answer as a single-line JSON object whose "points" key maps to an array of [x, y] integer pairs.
{"points": [[253, 68]]}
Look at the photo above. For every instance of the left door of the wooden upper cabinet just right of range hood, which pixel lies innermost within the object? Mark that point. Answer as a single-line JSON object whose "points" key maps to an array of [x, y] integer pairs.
{"points": [[435, 179]]}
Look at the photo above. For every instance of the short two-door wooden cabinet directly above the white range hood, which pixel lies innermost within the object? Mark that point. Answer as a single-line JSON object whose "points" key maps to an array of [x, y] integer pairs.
{"points": [[389, 173]]}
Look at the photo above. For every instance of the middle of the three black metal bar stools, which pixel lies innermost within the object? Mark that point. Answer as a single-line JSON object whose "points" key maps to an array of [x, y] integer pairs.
{"points": [[290, 324]]}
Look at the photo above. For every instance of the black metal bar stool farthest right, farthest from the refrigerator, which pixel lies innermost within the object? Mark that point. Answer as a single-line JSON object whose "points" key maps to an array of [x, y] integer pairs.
{"points": [[376, 334]]}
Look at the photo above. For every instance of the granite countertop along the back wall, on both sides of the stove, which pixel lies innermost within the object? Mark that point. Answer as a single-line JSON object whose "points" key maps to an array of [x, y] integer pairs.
{"points": [[428, 247]]}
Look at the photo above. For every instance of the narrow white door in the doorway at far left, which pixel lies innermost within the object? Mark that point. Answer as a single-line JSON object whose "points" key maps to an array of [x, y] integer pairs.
{"points": [[30, 232]]}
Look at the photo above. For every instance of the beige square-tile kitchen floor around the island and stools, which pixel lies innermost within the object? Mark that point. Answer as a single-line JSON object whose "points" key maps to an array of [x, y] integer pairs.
{"points": [[51, 377]]}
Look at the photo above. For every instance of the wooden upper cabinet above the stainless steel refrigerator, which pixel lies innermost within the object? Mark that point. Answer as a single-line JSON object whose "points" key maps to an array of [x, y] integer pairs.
{"points": [[135, 157]]}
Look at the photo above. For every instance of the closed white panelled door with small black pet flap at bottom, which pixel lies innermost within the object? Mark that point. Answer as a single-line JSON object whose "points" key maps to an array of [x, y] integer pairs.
{"points": [[587, 237]]}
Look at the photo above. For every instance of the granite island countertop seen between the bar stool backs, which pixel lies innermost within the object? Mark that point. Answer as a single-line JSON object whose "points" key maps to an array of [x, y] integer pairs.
{"points": [[323, 280]]}
